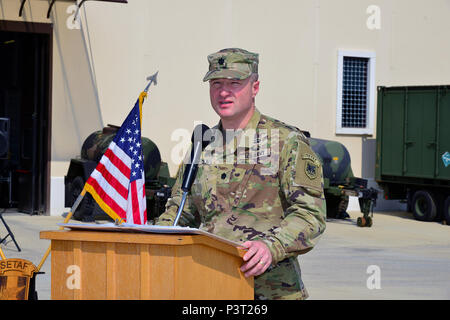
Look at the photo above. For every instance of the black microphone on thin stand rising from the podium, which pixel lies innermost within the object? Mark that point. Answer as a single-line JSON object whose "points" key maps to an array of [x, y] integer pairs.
{"points": [[190, 169]]}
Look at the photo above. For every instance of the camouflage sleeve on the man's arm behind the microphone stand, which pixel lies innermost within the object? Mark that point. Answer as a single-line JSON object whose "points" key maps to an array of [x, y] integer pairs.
{"points": [[188, 217]]}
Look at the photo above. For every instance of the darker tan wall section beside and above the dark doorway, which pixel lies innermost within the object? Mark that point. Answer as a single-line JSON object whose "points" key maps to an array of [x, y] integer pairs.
{"points": [[75, 106]]}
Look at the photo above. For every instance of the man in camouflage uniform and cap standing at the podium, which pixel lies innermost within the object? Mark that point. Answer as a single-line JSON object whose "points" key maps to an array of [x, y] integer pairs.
{"points": [[268, 195]]}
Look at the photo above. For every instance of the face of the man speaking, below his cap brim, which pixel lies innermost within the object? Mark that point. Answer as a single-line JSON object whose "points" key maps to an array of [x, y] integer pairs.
{"points": [[231, 99]]}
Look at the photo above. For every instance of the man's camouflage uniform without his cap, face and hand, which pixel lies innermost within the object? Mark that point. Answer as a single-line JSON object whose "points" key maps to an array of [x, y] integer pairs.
{"points": [[277, 199]]}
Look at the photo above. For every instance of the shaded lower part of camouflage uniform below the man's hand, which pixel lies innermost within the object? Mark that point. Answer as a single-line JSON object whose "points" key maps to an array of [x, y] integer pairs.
{"points": [[282, 282]]}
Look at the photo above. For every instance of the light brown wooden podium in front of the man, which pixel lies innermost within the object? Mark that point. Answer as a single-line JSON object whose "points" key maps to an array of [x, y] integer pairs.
{"points": [[118, 265]]}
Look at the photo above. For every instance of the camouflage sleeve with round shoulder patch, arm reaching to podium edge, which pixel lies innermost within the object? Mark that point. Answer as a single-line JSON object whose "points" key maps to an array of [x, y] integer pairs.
{"points": [[301, 183]]}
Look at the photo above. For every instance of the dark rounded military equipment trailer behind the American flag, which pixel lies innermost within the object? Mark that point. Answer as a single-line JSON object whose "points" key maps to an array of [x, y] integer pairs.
{"points": [[158, 182]]}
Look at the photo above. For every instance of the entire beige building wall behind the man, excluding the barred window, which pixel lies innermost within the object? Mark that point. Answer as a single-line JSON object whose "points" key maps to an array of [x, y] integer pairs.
{"points": [[100, 69]]}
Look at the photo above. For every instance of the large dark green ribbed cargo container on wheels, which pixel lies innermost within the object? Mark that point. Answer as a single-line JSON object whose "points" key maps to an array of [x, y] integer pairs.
{"points": [[413, 148]]}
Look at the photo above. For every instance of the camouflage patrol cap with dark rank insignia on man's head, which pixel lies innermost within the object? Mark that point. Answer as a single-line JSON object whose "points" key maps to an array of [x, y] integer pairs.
{"points": [[231, 63]]}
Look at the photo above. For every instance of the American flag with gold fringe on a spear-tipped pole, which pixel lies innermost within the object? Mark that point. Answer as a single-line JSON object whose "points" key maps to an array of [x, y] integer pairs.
{"points": [[118, 181]]}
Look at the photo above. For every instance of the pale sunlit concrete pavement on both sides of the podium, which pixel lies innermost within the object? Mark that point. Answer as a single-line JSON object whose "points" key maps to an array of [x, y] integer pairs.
{"points": [[397, 258]]}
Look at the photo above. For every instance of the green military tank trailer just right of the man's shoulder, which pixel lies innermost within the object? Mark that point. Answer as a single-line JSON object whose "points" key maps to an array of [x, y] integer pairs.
{"points": [[340, 183]]}
